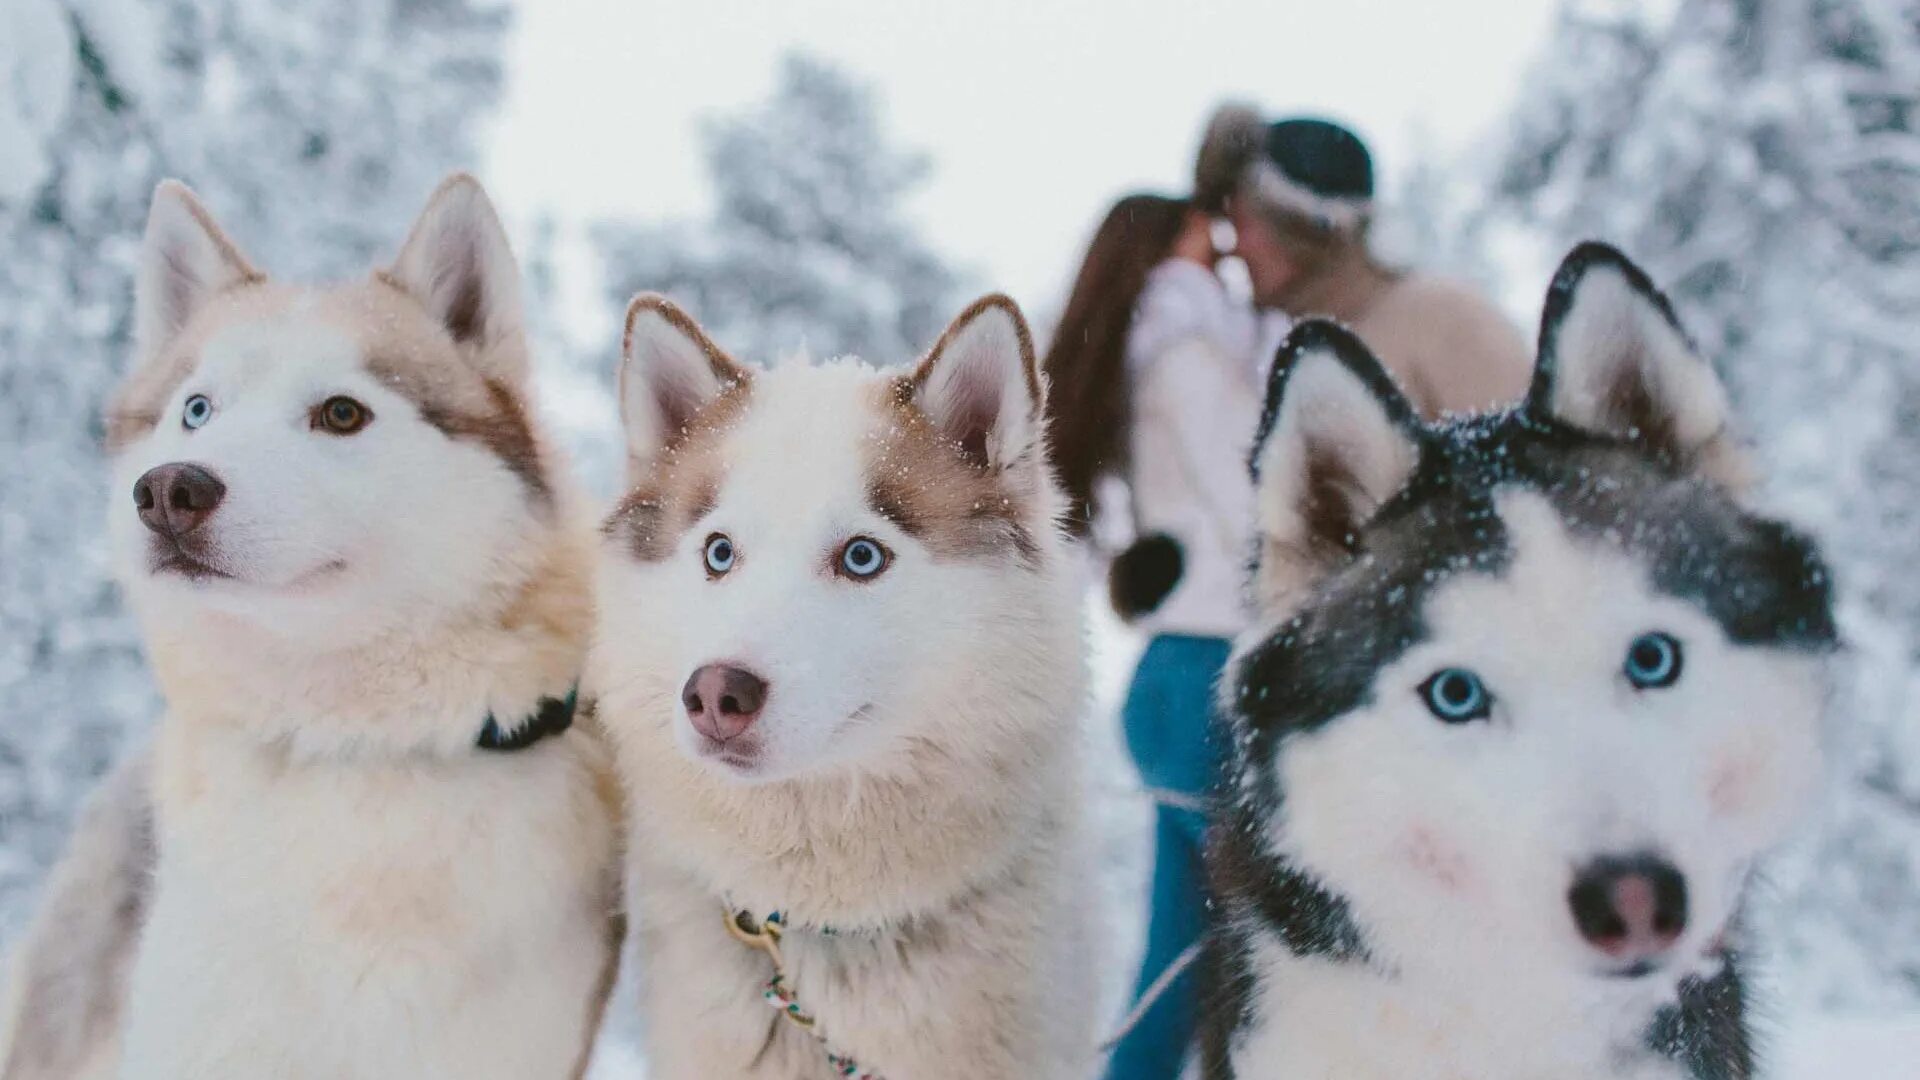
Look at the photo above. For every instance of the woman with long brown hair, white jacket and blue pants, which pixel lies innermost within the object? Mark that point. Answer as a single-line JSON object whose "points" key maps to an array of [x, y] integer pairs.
{"points": [[1155, 383]]}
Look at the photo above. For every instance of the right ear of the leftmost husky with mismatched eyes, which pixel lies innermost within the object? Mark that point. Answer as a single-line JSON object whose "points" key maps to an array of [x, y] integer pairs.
{"points": [[460, 266]]}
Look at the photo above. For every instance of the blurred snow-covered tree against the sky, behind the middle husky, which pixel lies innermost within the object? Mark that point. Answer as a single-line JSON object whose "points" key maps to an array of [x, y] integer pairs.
{"points": [[809, 245]]}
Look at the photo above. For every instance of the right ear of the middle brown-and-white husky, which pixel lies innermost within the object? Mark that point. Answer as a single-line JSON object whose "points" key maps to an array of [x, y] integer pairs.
{"points": [[982, 385]]}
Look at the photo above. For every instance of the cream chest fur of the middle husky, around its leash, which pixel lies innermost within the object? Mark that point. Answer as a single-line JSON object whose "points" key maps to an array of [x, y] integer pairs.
{"points": [[984, 989]]}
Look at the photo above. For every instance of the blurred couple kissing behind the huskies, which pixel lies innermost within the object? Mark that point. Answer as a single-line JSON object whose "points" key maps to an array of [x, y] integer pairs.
{"points": [[1159, 370]]}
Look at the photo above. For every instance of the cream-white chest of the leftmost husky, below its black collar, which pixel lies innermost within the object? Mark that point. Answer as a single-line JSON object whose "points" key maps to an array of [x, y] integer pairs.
{"points": [[372, 920]]}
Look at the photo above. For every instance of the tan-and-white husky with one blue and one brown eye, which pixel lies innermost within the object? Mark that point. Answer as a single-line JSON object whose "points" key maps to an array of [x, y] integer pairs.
{"points": [[366, 597]]}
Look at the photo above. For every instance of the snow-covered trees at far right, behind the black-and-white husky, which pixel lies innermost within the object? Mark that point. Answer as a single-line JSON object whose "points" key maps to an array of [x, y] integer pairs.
{"points": [[1764, 160]]}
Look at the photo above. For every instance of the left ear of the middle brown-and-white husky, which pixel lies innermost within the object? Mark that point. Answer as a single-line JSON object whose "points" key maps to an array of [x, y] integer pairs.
{"points": [[669, 372]]}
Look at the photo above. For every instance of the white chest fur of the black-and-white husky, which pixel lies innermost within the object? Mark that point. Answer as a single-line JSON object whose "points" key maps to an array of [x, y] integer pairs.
{"points": [[1316, 1019]]}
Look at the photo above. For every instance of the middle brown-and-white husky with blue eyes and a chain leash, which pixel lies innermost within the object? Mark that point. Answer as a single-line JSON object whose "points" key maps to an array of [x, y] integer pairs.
{"points": [[840, 662]]}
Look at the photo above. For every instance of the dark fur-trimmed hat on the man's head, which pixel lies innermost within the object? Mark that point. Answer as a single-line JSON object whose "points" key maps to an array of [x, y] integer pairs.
{"points": [[1303, 166]]}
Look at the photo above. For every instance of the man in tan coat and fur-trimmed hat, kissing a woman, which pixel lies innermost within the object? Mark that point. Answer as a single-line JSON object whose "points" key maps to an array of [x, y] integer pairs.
{"points": [[1301, 201]]}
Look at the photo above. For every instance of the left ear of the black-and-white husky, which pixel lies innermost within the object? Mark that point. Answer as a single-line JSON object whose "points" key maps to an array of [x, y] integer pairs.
{"points": [[1337, 439]]}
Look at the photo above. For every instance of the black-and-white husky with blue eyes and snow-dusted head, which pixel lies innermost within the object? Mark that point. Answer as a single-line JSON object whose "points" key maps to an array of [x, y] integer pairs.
{"points": [[1529, 699]]}
